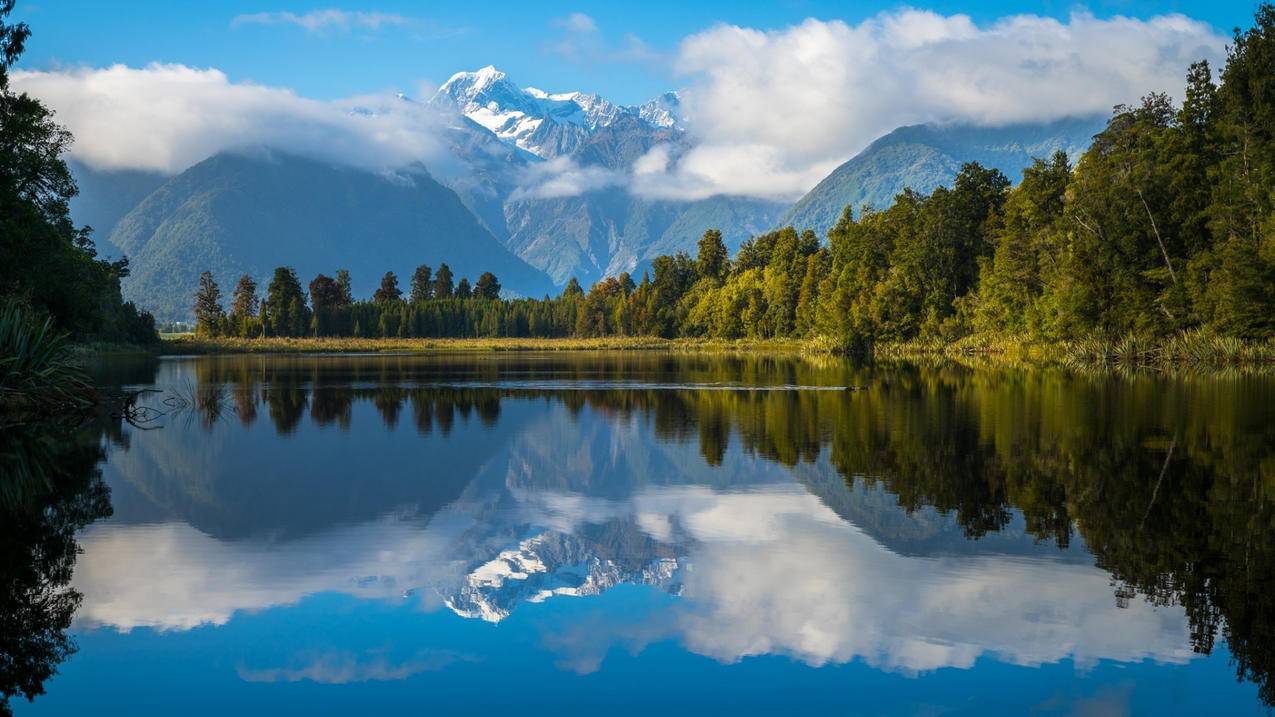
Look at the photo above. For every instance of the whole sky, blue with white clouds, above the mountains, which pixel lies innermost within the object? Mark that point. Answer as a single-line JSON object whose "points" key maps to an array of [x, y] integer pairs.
{"points": [[775, 96]]}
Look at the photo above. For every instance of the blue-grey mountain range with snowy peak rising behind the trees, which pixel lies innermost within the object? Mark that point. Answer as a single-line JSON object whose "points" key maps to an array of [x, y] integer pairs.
{"points": [[251, 211]]}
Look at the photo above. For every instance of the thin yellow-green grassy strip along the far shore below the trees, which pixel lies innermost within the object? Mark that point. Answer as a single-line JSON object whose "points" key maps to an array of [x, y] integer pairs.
{"points": [[189, 345]]}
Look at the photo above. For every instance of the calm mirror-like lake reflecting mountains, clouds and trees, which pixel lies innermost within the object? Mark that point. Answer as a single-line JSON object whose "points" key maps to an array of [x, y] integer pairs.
{"points": [[646, 533]]}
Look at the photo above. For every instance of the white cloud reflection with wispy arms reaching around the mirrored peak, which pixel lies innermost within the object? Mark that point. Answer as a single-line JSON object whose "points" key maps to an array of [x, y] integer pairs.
{"points": [[849, 598]]}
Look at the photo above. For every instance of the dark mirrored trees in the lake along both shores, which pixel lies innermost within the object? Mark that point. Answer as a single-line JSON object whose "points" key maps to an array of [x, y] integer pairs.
{"points": [[1169, 482]]}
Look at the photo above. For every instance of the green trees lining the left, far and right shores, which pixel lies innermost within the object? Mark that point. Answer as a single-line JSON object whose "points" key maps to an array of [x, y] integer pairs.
{"points": [[1157, 244]]}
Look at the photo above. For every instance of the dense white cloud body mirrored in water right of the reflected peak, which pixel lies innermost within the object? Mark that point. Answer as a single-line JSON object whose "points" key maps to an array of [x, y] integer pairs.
{"points": [[849, 598]]}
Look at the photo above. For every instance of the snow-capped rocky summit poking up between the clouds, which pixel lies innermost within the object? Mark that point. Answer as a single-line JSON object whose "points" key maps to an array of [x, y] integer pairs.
{"points": [[543, 123]]}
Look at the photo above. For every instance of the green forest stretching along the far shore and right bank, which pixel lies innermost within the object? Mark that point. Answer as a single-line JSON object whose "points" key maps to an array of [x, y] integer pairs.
{"points": [[1163, 226]]}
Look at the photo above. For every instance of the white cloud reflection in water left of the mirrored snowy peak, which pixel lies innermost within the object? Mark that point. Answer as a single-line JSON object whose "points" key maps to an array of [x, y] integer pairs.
{"points": [[188, 579]]}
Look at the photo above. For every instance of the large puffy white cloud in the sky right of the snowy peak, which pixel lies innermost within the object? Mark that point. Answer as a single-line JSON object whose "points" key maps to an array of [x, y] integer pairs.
{"points": [[775, 112]]}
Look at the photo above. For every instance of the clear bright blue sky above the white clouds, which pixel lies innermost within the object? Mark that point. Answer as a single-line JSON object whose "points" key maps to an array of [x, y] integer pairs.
{"points": [[628, 58]]}
